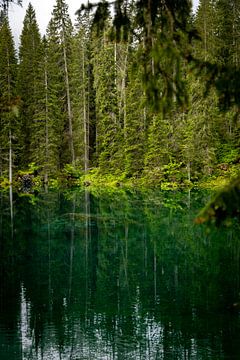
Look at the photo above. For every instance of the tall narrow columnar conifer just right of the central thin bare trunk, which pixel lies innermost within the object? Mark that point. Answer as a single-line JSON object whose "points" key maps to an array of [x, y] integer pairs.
{"points": [[108, 128]]}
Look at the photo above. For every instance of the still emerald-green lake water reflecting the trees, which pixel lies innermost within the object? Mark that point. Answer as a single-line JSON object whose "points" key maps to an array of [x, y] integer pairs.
{"points": [[116, 276]]}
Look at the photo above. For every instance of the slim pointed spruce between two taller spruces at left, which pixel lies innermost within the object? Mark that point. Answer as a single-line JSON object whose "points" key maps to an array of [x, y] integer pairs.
{"points": [[46, 133]]}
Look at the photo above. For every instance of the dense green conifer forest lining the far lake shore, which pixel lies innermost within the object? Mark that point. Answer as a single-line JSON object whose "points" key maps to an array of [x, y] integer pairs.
{"points": [[125, 100]]}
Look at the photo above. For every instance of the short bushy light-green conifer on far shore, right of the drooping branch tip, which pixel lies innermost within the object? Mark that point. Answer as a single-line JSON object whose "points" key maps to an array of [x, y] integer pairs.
{"points": [[199, 132]]}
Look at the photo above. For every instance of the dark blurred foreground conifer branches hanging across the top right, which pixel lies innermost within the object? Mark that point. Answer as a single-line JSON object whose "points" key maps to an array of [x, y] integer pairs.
{"points": [[168, 27]]}
